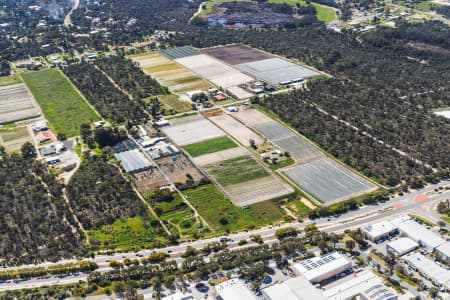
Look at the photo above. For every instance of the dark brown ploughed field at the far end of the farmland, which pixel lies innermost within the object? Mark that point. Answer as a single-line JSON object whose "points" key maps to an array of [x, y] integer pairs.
{"points": [[236, 54]]}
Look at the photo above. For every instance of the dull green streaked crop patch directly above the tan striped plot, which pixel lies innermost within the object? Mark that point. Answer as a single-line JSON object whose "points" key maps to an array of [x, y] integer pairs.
{"points": [[236, 170]]}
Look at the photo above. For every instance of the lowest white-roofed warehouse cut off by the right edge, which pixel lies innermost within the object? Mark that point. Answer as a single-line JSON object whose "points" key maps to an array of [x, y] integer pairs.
{"points": [[429, 269]]}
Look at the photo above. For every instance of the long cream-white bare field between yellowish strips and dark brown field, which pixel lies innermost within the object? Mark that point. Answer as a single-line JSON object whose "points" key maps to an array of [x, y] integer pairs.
{"points": [[214, 71]]}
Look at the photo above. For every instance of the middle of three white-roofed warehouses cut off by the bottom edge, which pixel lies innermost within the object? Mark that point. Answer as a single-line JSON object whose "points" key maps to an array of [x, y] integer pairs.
{"points": [[298, 288]]}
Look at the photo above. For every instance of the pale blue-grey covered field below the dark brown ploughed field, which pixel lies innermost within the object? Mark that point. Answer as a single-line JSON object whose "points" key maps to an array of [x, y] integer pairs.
{"points": [[276, 70]]}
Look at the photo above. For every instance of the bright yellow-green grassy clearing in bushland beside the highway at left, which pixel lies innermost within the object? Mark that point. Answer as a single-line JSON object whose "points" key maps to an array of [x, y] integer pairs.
{"points": [[127, 234]]}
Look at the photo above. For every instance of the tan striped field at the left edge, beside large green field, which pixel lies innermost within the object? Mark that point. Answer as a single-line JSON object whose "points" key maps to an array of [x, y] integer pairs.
{"points": [[16, 103]]}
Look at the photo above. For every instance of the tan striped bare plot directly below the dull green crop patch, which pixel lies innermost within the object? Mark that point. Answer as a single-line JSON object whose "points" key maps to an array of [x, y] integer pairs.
{"points": [[254, 191]]}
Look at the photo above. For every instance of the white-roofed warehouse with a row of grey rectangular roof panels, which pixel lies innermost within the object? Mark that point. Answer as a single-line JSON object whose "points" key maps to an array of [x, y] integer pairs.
{"points": [[317, 269]]}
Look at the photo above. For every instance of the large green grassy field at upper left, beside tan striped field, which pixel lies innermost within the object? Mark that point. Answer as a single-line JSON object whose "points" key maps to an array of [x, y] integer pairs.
{"points": [[62, 105]]}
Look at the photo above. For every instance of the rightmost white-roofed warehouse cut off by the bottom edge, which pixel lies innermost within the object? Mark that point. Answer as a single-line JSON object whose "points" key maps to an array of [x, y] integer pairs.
{"points": [[365, 285]]}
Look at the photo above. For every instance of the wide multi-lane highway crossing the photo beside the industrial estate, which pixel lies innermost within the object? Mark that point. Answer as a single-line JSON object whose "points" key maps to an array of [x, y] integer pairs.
{"points": [[417, 201]]}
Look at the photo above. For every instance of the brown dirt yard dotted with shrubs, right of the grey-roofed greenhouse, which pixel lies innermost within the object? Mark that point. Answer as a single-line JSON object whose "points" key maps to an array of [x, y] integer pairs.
{"points": [[177, 168]]}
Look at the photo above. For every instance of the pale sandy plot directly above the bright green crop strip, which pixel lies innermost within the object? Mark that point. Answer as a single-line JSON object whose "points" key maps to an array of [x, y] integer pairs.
{"points": [[192, 130]]}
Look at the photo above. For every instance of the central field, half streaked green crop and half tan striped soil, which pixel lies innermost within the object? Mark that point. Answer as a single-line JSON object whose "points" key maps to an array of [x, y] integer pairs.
{"points": [[246, 182]]}
